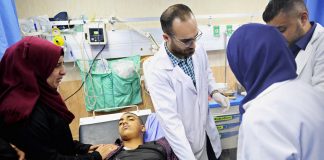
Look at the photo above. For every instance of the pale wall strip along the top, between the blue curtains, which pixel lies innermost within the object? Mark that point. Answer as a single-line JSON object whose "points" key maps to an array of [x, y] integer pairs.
{"points": [[133, 8]]}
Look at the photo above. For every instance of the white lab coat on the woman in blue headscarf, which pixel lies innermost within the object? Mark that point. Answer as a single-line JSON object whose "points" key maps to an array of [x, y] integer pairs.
{"points": [[284, 122]]}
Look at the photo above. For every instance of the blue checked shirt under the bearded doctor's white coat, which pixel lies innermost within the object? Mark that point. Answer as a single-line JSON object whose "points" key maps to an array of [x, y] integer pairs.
{"points": [[185, 64]]}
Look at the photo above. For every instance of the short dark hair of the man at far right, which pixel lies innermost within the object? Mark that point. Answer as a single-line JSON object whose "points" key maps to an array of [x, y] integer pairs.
{"points": [[274, 7]]}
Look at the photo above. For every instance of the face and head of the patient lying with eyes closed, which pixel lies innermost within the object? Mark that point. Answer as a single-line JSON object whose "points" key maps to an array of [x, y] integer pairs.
{"points": [[130, 126]]}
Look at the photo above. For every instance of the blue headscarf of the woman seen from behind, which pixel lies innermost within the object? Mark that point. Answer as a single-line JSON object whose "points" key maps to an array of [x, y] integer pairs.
{"points": [[259, 56]]}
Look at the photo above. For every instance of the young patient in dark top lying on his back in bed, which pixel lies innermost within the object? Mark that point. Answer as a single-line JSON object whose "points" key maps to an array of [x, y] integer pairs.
{"points": [[132, 146]]}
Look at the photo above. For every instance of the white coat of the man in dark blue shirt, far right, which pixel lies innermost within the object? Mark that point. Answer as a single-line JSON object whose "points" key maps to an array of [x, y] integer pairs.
{"points": [[310, 62]]}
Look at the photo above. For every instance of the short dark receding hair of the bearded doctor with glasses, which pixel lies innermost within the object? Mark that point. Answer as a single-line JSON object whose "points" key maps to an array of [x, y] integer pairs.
{"points": [[175, 11]]}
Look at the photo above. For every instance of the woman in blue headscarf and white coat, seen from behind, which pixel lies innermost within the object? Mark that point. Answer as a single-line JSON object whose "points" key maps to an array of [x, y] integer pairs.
{"points": [[284, 117]]}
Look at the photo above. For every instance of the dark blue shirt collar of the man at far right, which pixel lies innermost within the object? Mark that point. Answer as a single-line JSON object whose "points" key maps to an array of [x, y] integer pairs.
{"points": [[302, 42]]}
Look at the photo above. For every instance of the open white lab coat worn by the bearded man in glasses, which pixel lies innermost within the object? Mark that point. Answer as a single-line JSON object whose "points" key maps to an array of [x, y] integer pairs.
{"points": [[181, 108]]}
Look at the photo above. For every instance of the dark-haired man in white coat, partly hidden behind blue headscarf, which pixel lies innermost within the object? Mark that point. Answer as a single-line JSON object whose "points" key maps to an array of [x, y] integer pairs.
{"points": [[306, 39]]}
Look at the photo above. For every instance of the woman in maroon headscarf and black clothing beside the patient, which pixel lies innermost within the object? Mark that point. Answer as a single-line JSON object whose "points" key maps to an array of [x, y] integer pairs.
{"points": [[33, 115]]}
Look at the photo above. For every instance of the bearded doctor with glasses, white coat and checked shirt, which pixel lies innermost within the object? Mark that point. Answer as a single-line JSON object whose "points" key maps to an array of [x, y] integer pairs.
{"points": [[179, 80]]}
